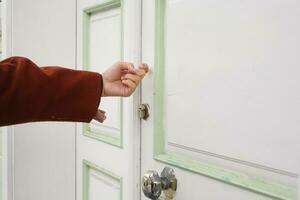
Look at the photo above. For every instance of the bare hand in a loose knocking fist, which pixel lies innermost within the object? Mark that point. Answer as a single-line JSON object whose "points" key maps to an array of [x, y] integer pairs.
{"points": [[122, 79]]}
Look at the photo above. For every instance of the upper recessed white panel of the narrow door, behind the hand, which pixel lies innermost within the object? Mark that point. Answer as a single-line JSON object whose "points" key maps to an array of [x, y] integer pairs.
{"points": [[104, 46]]}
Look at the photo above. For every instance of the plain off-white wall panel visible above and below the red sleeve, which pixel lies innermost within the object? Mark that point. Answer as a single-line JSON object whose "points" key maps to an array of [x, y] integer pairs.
{"points": [[44, 153]]}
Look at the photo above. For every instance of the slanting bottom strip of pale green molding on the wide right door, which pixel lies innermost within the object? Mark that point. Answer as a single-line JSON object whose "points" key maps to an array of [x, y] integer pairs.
{"points": [[252, 183]]}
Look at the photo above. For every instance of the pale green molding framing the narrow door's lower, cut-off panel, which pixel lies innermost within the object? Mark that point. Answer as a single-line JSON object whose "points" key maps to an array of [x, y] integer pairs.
{"points": [[86, 166]]}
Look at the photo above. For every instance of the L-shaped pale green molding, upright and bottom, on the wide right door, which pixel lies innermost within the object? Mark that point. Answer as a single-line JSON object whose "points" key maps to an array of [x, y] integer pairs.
{"points": [[257, 184]]}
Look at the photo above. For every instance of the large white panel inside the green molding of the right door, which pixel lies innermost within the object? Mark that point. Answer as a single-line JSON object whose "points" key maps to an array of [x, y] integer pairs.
{"points": [[236, 72]]}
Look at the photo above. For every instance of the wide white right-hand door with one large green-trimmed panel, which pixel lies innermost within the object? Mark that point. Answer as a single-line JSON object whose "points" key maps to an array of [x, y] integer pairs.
{"points": [[224, 97]]}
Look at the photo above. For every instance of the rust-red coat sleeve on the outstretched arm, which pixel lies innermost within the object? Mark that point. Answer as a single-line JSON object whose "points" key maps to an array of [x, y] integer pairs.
{"points": [[29, 93]]}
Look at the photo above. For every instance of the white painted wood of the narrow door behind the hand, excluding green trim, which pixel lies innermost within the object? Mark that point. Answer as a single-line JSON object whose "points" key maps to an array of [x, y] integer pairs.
{"points": [[122, 162]]}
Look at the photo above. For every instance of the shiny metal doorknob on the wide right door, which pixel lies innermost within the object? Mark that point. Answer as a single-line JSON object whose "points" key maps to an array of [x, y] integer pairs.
{"points": [[153, 184]]}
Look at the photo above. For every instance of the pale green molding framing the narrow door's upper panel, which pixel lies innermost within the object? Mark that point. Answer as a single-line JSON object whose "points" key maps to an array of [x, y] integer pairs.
{"points": [[100, 135]]}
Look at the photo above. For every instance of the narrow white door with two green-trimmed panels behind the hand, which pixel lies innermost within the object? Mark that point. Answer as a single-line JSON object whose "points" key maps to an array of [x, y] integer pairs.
{"points": [[107, 154]]}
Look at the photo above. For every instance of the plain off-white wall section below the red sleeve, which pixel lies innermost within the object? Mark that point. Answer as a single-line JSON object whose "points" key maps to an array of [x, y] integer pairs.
{"points": [[44, 161]]}
